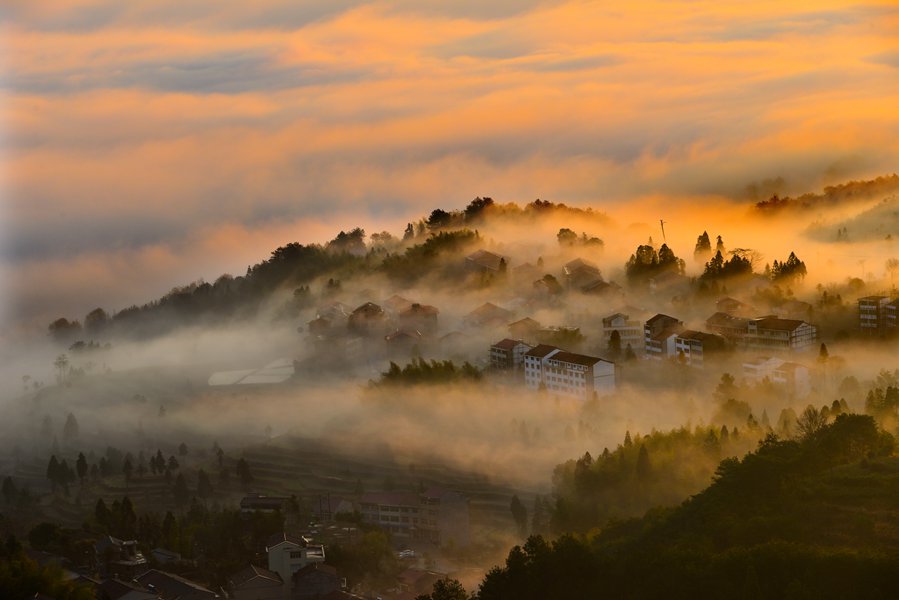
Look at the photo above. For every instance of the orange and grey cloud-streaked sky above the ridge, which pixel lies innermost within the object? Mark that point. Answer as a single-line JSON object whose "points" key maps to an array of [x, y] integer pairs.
{"points": [[150, 143]]}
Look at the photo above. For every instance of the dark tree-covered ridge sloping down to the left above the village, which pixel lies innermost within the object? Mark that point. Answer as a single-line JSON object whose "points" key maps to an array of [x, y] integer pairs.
{"points": [[294, 266]]}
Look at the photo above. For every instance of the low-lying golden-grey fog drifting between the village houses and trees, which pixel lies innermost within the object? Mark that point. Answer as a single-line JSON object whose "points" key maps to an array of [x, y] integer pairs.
{"points": [[494, 427]]}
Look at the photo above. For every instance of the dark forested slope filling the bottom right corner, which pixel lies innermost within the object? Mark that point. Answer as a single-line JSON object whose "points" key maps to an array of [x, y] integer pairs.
{"points": [[806, 518]]}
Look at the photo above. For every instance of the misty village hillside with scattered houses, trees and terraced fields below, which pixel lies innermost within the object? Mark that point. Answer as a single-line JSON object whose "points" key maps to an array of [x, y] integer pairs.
{"points": [[170, 514]]}
